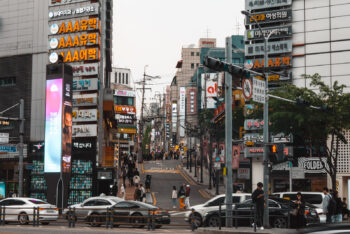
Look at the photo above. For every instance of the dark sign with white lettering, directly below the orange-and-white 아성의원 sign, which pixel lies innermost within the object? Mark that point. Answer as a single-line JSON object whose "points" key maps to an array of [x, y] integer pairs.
{"points": [[275, 32]]}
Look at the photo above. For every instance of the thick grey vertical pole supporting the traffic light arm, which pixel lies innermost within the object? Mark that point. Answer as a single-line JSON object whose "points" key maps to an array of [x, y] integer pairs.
{"points": [[228, 134]]}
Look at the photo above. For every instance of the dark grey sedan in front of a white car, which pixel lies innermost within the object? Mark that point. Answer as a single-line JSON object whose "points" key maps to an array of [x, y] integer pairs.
{"points": [[136, 213]]}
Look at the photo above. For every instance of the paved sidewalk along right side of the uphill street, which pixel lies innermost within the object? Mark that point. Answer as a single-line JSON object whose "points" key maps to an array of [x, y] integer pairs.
{"points": [[191, 179]]}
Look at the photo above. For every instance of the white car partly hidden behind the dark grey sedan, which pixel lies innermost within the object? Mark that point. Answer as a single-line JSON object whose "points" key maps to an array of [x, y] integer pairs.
{"points": [[92, 208]]}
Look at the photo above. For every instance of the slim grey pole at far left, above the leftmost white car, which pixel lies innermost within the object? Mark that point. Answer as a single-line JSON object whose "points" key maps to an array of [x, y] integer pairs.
{"points": [[21, 146]]}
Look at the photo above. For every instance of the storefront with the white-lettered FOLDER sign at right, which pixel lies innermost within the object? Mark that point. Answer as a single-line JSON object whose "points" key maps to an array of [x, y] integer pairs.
{"points": [[313, 180]]}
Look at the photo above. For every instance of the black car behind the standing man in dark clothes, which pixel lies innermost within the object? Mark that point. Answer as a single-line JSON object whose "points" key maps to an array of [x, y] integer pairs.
{"points": [[279, 210]]}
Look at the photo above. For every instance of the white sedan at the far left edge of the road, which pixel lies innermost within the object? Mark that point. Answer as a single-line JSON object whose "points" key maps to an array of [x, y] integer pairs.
{"points": [[21, 209]]}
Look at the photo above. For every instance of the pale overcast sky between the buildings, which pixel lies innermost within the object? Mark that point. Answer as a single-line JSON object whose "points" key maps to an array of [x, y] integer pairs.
{"points": [[152, 32]]}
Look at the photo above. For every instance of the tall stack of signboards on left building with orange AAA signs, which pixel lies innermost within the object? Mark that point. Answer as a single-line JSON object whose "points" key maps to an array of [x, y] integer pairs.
{"points": [[74, 34]]}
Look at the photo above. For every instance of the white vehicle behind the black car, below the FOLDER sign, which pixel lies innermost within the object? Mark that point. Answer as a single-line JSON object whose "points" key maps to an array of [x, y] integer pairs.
{"points": [[314, 198]]}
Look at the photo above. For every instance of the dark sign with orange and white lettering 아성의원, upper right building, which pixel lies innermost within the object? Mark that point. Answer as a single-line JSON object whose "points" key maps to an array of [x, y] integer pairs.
{"points": [[270, 16]]}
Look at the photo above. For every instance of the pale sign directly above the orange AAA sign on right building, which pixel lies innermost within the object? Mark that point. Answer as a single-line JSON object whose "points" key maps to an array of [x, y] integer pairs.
{"points": [[275, 47]]}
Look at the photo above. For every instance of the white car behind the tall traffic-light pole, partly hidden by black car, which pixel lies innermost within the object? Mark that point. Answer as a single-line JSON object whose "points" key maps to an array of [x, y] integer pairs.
{"points": [[213, 204]]}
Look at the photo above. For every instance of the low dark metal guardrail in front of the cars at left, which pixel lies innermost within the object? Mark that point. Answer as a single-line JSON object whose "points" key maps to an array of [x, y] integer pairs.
{"points": [[100, 217]]}
